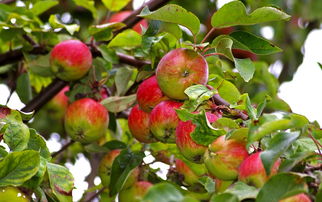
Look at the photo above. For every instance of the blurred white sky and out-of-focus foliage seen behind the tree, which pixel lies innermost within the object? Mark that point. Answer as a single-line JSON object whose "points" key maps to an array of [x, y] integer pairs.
{"points": [[296, 85]]}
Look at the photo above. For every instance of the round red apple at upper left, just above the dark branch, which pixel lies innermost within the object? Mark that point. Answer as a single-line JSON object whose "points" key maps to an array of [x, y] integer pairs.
{"points": [[70, 60]]}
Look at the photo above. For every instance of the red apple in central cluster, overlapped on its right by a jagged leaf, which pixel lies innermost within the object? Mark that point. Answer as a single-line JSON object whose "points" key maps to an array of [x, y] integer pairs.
{"points": [[189, 149]]}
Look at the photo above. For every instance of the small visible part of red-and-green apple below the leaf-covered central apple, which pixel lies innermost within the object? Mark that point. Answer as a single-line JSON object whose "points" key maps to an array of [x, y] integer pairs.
{"points": [[189, 177]]}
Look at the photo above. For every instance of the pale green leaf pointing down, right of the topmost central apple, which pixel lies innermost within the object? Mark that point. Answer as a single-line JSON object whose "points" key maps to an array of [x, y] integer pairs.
{"points": [[245, 68]]}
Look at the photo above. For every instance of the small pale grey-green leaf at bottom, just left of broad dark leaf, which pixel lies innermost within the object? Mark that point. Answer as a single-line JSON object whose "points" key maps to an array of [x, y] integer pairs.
{"points": [[242, 191]]}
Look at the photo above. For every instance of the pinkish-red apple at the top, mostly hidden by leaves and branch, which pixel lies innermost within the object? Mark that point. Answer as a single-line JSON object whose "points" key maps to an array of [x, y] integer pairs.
{"points": [[120, 16]]}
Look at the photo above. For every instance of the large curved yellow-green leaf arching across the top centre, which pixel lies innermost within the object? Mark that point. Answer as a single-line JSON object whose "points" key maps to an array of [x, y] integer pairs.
{"points": [[174, 14]]}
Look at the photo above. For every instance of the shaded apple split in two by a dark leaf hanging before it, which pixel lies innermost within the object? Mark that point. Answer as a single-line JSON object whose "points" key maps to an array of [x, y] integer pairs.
{"points": [[105, 168]]}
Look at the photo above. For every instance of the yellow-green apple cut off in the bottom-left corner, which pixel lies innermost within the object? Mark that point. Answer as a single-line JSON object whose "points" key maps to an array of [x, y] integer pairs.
{"points": [[12, 194]]}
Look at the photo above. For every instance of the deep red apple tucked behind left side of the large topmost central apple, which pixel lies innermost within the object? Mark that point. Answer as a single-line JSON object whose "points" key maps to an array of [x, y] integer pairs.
{"points": [[149, 94]]}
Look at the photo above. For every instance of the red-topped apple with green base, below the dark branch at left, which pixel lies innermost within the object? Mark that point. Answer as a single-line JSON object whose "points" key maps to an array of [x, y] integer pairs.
{"points": [[86, 120]]}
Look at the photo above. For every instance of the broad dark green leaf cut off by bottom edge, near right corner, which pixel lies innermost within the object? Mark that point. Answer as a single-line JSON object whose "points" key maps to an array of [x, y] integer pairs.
{"points": [[281, 186]]}
